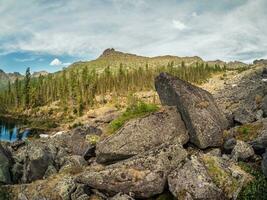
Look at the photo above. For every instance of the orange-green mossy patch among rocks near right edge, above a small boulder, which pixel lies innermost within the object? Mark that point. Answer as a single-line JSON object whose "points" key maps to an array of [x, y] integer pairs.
{"points": [[248, 132]]}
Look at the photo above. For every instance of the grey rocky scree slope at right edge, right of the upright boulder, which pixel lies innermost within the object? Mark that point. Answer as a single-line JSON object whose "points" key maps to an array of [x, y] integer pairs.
{"points": [[245, 99]]}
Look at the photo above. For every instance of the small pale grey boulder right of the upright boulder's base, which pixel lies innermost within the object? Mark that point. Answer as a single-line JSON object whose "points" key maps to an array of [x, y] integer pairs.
{"points": [[242, 151]]}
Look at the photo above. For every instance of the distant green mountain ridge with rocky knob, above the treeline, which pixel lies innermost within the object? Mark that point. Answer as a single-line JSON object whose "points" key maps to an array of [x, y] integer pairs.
{"points": [[114, 59]]}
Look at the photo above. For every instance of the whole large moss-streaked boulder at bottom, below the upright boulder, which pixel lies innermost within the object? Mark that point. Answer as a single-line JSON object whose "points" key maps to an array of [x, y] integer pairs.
{"points": [[208, 177]]}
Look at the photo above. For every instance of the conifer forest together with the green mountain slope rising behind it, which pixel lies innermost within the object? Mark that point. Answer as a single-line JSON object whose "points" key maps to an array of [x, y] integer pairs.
{"points": [[115, 73]]}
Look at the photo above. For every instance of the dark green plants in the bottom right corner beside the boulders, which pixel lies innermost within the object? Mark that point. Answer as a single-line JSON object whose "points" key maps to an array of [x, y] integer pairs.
{"points": [[257, 188]]}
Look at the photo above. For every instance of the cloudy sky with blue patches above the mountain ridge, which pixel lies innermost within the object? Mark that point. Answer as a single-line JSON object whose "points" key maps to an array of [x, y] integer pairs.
{"points": [[51, 34]]}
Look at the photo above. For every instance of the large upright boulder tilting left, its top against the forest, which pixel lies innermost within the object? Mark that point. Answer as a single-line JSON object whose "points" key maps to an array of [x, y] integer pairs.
{"points": [[203, 119]]}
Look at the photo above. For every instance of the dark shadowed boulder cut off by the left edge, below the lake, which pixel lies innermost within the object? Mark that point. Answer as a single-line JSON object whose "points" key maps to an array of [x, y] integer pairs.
{"points": [[5, 166]]}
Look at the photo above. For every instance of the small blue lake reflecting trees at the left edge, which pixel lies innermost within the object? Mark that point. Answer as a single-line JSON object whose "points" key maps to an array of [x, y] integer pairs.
{"points": [[10, 131]]}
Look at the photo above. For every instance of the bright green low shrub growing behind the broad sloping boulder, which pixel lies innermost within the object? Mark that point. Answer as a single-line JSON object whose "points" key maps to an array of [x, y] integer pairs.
{"points": [[136, 110]]}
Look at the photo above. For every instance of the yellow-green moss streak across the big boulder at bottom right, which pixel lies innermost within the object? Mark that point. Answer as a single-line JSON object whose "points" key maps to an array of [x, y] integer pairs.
{"points": [[221, 177]]}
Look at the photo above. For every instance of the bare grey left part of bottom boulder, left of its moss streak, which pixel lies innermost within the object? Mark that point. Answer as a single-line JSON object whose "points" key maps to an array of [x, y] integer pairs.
{"points": [[193, 178]]}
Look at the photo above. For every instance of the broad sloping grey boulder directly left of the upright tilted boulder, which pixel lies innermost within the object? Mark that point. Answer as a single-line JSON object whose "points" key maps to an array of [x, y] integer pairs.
{"points": [[140, 135]]}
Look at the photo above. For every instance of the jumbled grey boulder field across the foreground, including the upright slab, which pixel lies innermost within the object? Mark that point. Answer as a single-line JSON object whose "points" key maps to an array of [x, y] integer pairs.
{"points": [[189, 149]]}
